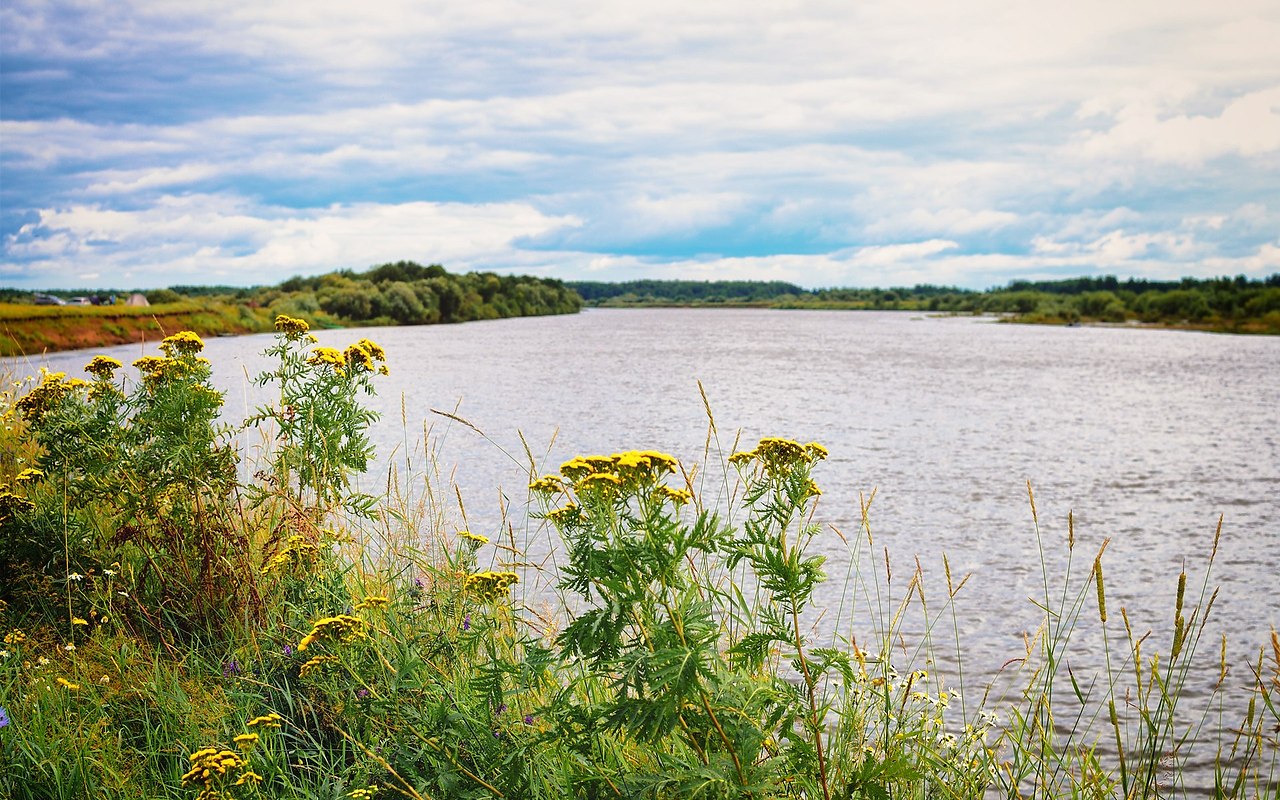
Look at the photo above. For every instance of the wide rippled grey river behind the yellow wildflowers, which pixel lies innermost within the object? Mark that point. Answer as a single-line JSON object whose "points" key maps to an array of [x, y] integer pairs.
{"points": [[1145, 436]]}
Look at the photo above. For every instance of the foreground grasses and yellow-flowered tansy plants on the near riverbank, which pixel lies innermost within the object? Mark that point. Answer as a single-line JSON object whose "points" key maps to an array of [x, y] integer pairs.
{"points": [[186, 619]]}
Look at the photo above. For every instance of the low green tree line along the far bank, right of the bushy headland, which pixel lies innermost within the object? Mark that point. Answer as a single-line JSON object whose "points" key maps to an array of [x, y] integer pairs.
{"points": [[1238, 304]]}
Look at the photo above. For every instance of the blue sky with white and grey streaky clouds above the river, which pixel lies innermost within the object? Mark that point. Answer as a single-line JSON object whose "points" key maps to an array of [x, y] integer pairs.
{"points": [[825, 143]]}
